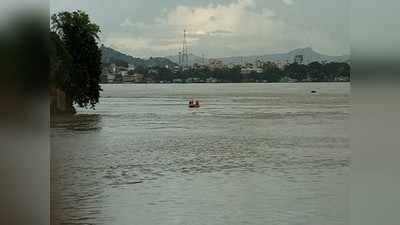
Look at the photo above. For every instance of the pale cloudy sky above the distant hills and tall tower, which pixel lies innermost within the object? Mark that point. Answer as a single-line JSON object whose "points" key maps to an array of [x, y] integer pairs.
{"points": [[218, 28]]}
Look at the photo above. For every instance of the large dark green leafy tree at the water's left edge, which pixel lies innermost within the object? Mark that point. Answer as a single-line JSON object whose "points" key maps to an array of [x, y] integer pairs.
{"points": [[79, 36]]}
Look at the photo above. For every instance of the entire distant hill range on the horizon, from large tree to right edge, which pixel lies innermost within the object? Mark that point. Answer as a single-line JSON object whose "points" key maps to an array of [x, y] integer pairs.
{"points": [[110, 55]]}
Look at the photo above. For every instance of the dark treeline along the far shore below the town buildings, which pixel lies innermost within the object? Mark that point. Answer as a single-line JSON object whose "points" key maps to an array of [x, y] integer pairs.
{"points": [[270, 72]]}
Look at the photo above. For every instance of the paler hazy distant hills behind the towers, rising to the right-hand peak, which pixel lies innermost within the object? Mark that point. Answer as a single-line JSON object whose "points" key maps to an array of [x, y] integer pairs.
{"points": [[309, 56]]}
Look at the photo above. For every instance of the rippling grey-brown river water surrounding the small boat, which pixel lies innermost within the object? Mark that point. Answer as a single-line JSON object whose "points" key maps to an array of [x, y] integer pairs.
{"points": [[252, 154]]}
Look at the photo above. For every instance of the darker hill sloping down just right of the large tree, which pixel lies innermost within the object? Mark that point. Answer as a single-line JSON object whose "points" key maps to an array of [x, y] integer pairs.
{"points": [[110, 55]]}
